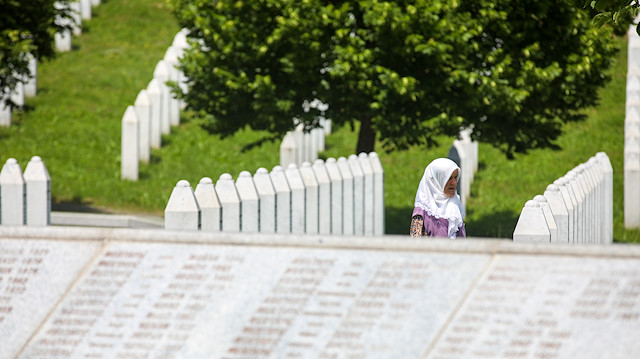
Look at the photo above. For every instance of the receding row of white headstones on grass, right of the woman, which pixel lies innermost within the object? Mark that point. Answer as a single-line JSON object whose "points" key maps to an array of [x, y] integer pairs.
{"points": [[577, 208]]}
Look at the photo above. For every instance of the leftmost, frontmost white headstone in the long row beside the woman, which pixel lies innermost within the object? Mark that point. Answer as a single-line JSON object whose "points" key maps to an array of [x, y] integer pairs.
{"points": [[182, 211]]}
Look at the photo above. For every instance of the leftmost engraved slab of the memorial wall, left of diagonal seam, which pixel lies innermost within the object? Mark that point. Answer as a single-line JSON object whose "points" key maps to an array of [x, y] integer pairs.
{"points": [[34, 275]]}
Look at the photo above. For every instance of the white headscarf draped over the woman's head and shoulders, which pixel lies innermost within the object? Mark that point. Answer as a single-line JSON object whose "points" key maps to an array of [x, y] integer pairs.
{"points": [[431, 198]]}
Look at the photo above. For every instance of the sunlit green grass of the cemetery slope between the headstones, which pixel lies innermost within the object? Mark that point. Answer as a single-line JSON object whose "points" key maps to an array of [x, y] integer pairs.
{"points": [[74, 124]]}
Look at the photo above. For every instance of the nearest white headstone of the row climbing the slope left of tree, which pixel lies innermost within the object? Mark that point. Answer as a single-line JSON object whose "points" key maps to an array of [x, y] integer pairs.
{"points": [[129, 158]]}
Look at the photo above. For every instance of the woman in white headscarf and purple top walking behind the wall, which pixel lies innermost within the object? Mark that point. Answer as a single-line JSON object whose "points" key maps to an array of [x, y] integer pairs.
{"points": [[438, 211]]}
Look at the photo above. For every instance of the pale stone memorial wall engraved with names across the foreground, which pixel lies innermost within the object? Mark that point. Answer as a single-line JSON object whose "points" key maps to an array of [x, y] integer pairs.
{"points": [[117, 293]]}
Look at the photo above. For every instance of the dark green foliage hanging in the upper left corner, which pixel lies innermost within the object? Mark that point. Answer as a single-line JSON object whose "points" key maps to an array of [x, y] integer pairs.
{"points": [[26, 27]]}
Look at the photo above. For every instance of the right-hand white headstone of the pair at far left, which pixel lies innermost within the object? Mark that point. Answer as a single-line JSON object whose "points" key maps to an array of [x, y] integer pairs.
{"points": [[38, 193]]}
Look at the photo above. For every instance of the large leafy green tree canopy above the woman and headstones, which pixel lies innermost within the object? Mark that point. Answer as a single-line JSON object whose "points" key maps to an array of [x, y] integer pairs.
{"points": [[408, 71]]}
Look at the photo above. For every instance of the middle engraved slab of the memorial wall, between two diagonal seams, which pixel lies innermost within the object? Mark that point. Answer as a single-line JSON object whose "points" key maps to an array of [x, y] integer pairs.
{"points": [[152, 300]]}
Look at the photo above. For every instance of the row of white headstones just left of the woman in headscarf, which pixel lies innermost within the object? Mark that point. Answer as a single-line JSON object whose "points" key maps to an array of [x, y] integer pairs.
{"points": [[343, 196]]}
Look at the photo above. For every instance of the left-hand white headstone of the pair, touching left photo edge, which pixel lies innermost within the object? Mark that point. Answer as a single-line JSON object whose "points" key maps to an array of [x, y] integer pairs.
{"points": [[12, 194]]}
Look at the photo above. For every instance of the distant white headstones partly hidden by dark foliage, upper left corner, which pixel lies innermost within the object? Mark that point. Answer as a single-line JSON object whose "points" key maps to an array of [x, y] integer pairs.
{"points": [[81, 10]]}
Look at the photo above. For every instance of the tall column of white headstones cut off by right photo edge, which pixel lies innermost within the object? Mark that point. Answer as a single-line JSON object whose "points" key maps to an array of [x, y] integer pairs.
{"points": [[632, 134]]}
